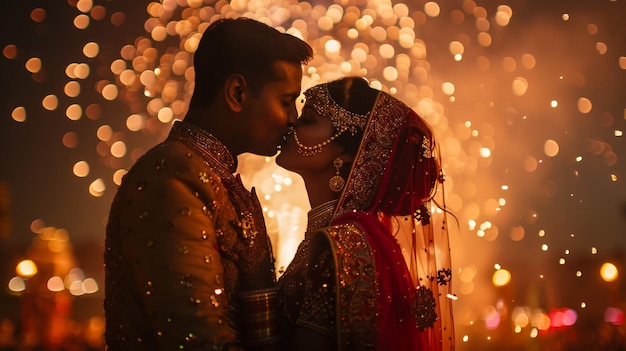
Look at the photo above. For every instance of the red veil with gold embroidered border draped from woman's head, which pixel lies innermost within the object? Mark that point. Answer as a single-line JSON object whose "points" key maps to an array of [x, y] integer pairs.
{"points": [[390, 195]]}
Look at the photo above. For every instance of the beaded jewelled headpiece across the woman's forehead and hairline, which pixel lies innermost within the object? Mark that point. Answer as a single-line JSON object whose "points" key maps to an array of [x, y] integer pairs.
{"points": [[324, 105]]}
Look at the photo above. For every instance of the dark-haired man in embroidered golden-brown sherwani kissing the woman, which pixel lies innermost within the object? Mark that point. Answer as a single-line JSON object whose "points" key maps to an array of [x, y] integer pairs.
{"points": [[188, 264]]}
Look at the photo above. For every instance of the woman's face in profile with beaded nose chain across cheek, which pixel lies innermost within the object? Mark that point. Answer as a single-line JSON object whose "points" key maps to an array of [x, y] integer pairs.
{"points": [[310, 131]]}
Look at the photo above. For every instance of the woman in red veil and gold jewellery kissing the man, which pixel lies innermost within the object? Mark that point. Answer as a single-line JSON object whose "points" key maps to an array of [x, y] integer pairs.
{"points": [[373, 271]]}
